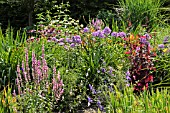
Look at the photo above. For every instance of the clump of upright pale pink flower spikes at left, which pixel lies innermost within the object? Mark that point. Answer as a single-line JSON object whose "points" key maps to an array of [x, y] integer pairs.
{"points": [[39, 80]]}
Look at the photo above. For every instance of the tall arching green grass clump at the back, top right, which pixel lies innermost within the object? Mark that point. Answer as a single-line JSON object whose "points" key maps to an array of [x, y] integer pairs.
{"points": [[137, 13]]}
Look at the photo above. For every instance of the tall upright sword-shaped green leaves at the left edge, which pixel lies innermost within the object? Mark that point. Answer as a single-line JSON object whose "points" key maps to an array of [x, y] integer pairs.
{"points": [[11, 53]]}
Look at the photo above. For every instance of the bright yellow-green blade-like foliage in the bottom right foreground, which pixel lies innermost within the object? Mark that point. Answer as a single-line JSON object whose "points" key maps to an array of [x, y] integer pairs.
{"points": [[154, 101]]}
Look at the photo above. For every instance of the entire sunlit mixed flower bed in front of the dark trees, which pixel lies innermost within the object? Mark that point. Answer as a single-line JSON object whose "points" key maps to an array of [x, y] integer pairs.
{"points": [[109, 65]]}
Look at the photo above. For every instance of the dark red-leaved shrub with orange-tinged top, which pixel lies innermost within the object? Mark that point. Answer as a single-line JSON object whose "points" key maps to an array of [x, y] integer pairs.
{"points": [[141, 57]]}
